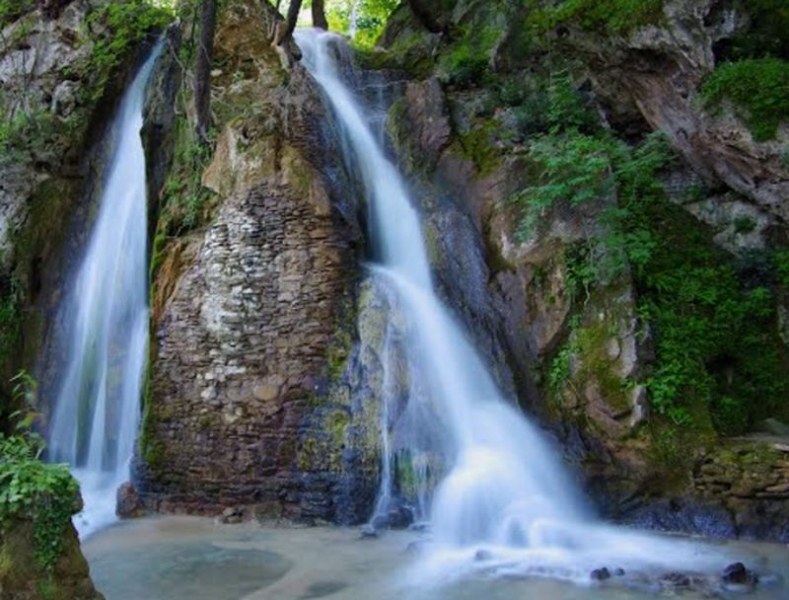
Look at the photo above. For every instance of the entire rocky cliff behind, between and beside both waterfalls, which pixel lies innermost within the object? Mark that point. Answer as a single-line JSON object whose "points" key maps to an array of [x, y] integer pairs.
{"points": [[628, 289]]}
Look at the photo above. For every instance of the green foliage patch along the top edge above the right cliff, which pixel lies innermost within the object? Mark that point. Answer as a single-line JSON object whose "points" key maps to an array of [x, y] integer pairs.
{"points": [[604, 16]]}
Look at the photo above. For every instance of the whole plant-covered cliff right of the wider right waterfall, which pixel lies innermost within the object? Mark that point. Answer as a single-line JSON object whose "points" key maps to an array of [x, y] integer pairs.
{"points": [[534, 120]]}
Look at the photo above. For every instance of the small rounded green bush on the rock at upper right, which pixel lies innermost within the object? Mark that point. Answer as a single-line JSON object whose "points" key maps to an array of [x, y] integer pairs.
{"points": [[758, 89]]}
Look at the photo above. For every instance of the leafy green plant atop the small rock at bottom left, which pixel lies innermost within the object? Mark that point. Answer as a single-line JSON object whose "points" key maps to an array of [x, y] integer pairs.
{"points": [[30, 489]]}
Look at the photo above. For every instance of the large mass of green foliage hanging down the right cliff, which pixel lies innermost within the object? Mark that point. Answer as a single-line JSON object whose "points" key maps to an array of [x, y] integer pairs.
{"points": [[716, 354]]}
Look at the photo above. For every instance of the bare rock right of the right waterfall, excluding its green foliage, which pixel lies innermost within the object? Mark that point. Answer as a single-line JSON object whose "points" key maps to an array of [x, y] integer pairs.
{"points": [[579, 355]]}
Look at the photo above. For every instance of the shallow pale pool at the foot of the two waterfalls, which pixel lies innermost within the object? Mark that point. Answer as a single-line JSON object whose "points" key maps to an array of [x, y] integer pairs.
{"points": [[185, 558]]}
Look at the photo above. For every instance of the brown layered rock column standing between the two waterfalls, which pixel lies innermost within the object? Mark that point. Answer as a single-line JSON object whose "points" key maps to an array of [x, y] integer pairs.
{"points": [[249, 310]]}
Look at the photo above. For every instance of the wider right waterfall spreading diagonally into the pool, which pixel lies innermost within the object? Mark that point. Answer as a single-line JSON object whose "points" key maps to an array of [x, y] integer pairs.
{"points": [[504, 504]]}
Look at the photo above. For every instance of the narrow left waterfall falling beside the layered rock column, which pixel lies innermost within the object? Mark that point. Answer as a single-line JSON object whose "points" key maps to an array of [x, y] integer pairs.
{"points": [[105, 319]]}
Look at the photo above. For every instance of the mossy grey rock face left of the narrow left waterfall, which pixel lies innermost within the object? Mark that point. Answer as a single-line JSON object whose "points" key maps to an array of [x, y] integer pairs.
{"points": [[58, 101]]}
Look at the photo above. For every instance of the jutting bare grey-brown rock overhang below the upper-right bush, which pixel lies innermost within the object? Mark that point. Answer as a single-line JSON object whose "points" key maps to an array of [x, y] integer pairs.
{"points": [[657, 69]]}
